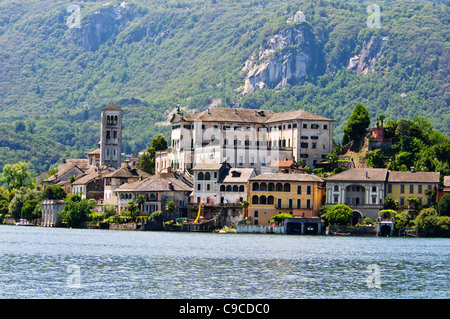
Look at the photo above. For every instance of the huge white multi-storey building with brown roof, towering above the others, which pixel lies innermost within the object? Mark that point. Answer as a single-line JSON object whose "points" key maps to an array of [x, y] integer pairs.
{"points": [[246, 138]]}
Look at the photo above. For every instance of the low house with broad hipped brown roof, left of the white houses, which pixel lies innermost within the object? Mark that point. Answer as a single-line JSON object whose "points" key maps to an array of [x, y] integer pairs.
{"points": [[157, 190]]}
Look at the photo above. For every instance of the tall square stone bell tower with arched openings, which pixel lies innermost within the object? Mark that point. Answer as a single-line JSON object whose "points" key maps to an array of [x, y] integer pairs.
{"points": [[111, 136]]}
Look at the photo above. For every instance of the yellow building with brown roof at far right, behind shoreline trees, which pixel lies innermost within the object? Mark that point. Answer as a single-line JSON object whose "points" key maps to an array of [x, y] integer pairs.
{"points": [[404, 185]]}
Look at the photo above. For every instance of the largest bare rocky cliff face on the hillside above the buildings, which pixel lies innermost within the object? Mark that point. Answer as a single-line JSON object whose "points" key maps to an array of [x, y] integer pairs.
{"points": [[287, 57]]}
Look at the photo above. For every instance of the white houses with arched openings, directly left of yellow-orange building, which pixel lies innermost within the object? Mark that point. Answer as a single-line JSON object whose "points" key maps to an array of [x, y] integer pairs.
{"points": [[220, 184]]}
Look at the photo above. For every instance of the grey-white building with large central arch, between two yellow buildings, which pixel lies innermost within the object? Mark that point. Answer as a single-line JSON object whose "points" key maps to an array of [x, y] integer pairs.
{"points": [[362, 189]]}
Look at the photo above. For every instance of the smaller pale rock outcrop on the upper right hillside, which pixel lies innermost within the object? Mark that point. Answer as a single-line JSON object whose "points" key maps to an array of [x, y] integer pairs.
{"points": [[364, 63]]}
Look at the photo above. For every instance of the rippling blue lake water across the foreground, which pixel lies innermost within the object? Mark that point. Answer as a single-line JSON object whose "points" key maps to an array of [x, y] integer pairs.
{"points": [[37, 262]]}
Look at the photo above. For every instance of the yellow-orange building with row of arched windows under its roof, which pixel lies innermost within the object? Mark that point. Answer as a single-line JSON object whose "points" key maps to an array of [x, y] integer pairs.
{"points": [[300, 195]]}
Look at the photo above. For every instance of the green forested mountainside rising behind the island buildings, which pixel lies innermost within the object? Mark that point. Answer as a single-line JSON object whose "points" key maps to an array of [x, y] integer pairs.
{"points": [[148, 56]]}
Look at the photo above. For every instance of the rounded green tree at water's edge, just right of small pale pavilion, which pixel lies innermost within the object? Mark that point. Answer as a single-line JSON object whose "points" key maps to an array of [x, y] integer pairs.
{"points": [[76, 210]]}
